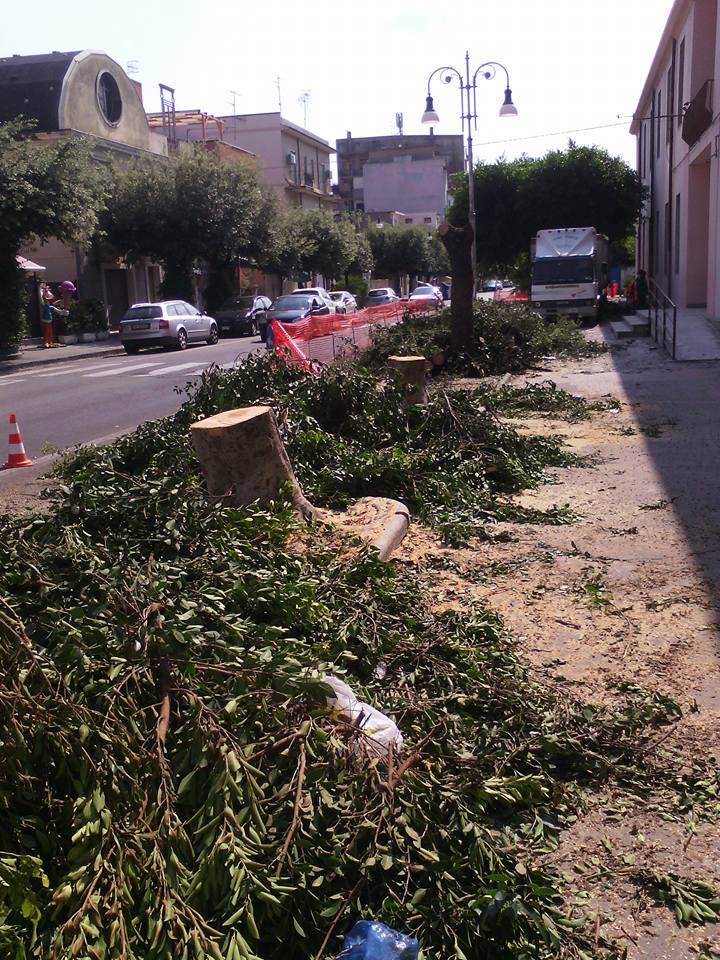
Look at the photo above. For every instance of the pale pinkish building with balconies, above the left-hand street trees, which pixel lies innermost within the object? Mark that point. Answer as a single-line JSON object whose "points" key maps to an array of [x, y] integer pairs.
{"points": [[294, 162]]}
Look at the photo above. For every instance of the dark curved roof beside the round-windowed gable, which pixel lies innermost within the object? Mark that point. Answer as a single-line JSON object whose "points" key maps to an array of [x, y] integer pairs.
{"points": [[31, 86]]}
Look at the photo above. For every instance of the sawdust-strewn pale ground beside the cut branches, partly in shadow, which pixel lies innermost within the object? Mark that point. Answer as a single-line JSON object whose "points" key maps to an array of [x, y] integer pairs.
{"points": [[628, 593]]}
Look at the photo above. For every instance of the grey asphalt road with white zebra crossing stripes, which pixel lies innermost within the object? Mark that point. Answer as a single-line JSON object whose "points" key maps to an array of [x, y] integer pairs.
{"points": [[71, 402]]}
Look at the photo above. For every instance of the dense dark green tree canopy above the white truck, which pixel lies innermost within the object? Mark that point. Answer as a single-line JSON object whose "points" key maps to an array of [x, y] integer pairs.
{"points": [[580, 186]]}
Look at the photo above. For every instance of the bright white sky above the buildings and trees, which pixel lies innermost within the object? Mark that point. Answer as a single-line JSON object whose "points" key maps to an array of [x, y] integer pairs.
{"points": [[572, 64]]}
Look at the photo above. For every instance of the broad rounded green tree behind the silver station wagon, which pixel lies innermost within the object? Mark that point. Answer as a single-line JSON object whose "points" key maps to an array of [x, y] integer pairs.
{"points": [[196, 209]]}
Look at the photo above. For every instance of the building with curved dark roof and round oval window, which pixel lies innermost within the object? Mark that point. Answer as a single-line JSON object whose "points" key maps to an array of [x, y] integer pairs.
{"points": [[85, 93]]}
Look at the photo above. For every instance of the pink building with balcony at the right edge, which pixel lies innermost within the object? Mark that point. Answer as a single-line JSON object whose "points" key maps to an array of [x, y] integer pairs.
{"points": [[678, 133]]}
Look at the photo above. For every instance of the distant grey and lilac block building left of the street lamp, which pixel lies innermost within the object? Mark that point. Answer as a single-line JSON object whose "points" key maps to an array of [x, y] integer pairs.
{"points": [[409, 174]]}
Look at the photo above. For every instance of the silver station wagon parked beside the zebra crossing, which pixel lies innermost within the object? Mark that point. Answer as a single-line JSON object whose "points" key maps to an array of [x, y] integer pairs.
{"points": [[170, 323]]}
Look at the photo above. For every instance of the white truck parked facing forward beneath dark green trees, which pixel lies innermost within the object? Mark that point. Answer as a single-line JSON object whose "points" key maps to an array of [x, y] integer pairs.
{"points": [[569, 271]]}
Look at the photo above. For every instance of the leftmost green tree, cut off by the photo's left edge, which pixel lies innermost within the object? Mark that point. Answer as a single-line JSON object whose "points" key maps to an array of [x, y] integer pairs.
{"points": [[46, 190]]}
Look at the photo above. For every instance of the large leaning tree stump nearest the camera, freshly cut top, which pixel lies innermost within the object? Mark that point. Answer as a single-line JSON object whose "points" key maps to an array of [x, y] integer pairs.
{"points": [[245, 459]]}
